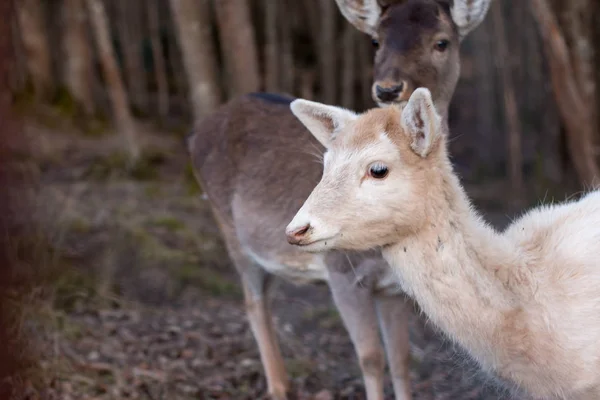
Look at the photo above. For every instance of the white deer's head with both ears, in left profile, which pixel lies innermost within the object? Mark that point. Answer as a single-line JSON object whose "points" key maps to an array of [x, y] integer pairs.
{"points": [[380, 171]]}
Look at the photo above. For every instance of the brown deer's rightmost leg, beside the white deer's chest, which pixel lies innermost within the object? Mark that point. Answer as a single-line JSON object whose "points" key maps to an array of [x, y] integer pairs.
{"points": [[393, 312]]}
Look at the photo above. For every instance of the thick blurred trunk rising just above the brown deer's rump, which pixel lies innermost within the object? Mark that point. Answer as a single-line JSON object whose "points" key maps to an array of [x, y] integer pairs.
{"points": [[193, 26]]}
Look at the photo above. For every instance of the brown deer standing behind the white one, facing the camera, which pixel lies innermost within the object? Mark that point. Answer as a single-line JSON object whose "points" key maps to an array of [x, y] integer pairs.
{"points": [[250, 158]]}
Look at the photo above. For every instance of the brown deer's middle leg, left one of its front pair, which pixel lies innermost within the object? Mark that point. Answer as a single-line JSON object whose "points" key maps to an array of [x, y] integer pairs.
{"points": [[356, 305]]}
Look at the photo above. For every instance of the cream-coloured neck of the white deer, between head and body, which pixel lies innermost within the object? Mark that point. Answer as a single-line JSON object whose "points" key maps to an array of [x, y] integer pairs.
{"points": [[461, 272]]}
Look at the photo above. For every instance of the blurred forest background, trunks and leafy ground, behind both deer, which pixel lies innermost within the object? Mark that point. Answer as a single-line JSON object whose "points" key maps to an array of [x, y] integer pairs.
{"points": [[108, 88]]}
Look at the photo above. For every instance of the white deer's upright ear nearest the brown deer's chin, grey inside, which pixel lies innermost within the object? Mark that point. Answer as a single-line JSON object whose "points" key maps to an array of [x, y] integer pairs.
{"points": [[421, 122]]}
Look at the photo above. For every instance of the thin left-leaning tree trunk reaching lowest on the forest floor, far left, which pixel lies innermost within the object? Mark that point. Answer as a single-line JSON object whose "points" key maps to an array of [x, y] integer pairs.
{"points": [[114, 83]]}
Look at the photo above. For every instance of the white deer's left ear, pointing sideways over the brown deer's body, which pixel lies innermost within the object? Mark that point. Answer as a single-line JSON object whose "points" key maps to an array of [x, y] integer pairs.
{"points": [[321, 120]]}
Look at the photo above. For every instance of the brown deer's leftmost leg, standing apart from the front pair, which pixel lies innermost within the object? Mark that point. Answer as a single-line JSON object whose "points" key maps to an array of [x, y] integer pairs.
{"points": [[256, 284]]}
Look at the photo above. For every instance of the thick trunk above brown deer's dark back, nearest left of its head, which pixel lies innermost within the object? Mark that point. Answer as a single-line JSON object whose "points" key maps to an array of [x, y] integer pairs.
{"points": [[239, 45]]}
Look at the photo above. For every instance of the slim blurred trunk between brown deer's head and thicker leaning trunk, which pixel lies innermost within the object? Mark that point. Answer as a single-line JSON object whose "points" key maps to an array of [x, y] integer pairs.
{"points": [[515, 154]]}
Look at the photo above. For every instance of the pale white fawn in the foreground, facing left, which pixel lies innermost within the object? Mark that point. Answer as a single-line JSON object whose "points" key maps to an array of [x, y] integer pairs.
{"points": [[524, 303]]}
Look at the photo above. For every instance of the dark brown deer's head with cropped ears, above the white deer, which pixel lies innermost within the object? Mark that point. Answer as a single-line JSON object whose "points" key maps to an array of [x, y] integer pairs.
{"points": [[417, 43]]}
